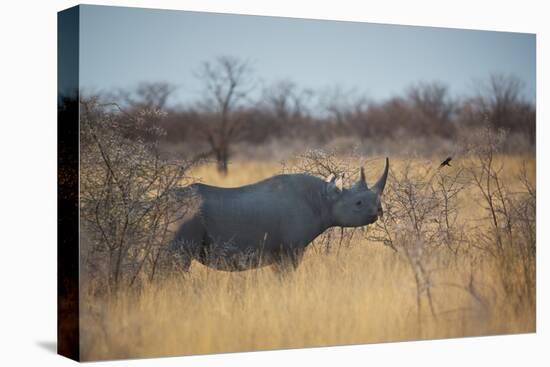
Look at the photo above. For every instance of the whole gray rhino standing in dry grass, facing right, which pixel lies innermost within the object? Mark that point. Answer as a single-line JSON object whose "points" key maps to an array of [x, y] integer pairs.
{"points": [[270, 222]]}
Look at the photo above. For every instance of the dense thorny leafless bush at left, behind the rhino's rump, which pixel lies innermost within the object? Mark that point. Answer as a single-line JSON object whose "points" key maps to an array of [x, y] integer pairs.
{"points": [[128, 195]]}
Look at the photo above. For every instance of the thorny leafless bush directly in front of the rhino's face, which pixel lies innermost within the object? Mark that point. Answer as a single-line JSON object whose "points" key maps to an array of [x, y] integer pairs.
{"points": [[420, 222]]}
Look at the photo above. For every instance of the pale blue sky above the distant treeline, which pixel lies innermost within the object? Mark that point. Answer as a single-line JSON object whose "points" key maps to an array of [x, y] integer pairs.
{"points": [[121, 47]]}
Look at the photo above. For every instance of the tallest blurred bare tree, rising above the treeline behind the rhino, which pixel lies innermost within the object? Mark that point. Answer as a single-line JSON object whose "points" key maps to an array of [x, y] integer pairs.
{"points": [[227, 82]]}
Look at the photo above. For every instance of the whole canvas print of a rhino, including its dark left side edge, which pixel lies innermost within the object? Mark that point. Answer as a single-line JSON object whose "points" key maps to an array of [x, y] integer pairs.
{"points": [[234, 183]]}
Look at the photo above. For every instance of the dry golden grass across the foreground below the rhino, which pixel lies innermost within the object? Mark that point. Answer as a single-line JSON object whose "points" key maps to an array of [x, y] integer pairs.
{"points": [[365, 294]]}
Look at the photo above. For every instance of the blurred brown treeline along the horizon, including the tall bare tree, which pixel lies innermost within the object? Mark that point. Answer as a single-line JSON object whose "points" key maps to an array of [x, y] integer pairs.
{"points": [[226, 114]]}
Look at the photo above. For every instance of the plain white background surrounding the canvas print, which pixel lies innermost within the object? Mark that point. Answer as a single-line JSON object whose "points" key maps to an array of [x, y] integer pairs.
{"points": [[28, 181]]}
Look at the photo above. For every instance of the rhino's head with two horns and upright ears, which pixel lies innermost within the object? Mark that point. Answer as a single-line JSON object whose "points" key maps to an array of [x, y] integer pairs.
{"points": [[358, 205]]}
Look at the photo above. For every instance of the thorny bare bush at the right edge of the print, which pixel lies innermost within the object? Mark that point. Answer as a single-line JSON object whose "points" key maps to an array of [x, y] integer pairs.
{"points": [[511, 214]]}
